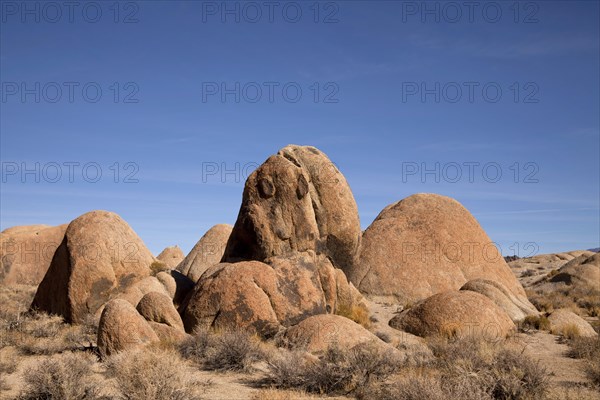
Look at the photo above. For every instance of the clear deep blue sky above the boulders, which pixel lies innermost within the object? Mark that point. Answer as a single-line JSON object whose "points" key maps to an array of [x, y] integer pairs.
{"points": [[367, 71]]}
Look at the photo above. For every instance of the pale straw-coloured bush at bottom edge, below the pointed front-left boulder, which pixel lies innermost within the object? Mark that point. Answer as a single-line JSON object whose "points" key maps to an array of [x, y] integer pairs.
{"points": [[153, 373]]}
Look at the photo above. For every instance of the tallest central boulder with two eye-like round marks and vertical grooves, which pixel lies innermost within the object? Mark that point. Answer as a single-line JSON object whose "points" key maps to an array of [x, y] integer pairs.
{"points": [[296, 201]]}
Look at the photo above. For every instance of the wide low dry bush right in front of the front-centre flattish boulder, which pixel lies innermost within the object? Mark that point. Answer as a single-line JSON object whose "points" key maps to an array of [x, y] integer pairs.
{"points": [[337, 371]]}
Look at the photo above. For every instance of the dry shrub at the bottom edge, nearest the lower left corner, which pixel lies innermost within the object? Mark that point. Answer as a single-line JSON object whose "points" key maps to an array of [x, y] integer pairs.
{"points": [[62, 376]]}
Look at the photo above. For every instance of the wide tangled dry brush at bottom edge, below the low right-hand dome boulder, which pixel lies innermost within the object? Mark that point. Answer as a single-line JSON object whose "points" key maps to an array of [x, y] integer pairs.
{"points": [[468, 368]]}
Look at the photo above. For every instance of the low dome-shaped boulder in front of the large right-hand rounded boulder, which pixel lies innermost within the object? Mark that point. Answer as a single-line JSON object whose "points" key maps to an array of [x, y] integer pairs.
{"points": [[460, 313]]}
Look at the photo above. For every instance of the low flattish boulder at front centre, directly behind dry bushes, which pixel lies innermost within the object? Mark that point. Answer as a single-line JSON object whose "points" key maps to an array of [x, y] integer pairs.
{"points": [[317, 333]]}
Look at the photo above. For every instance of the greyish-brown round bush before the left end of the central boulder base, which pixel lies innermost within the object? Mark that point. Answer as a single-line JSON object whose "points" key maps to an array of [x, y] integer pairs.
{"points": [[225, 351]]}
